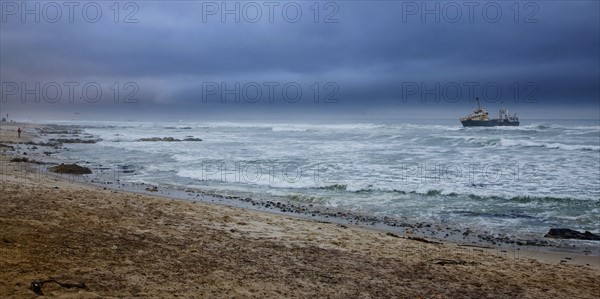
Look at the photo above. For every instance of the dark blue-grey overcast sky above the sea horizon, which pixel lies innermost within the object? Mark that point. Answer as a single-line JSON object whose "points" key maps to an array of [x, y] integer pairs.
{"points": [[298, 60]]}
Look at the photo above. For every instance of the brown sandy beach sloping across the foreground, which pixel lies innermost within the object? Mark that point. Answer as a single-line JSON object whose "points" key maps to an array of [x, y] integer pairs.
{"points": [[82, 241]]}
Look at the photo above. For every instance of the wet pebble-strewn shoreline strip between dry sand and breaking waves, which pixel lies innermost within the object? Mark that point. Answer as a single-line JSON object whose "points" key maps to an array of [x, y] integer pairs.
{"points": [[109, 178]]}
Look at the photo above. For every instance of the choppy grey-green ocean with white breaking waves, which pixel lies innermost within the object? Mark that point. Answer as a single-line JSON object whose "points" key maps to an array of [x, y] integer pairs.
{"points": [[512, 180]]}
